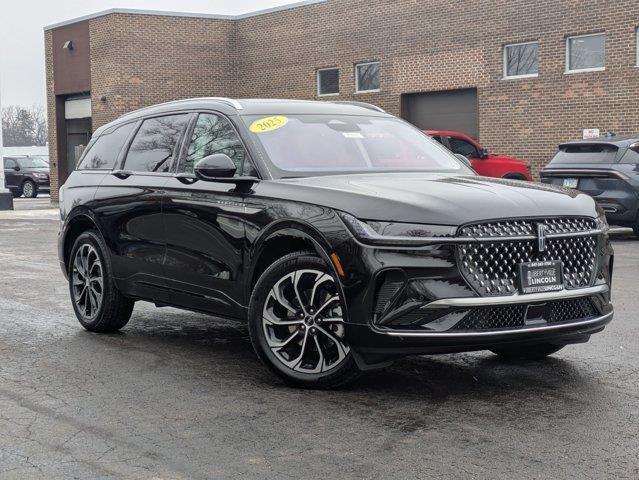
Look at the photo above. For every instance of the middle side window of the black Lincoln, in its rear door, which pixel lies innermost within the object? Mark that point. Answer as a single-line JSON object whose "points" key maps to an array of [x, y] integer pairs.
{"points": [[154, 146]]}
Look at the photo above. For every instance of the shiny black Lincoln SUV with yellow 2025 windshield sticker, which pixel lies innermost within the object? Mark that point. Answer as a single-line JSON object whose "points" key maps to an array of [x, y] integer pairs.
{"points": [[344, 236]]}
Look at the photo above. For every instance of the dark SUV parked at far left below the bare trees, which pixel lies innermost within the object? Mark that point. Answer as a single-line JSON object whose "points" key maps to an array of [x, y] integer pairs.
{"points": [[26, 176]]}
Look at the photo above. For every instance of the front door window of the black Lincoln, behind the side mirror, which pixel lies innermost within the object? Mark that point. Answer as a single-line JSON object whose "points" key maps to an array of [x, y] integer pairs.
{"points": [[215, 134]]}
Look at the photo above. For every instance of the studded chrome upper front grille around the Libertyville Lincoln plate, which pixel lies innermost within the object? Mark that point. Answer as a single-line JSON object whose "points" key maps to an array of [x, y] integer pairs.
{"points": [[491, 267]]}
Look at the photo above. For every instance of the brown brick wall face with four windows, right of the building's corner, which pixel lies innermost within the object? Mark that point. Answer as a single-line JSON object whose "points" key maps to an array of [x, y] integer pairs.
{"points": [[442, 45]]}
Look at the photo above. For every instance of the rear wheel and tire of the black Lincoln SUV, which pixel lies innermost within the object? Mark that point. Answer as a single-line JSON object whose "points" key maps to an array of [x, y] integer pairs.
{"points": [[98, 308]]}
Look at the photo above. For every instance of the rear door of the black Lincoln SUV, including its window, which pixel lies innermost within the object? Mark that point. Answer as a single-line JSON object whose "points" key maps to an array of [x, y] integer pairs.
{"points": [[129, 205]]}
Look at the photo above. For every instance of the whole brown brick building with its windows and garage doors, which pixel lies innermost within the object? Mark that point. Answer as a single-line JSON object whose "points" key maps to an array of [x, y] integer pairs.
{"points": [[520, 75]]}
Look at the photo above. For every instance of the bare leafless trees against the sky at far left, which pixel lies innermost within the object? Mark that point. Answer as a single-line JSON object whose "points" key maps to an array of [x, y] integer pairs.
{"points": [[24, 126]]}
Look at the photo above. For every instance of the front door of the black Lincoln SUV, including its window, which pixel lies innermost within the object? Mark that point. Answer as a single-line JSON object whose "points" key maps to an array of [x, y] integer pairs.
{"points": [[205, 223]]}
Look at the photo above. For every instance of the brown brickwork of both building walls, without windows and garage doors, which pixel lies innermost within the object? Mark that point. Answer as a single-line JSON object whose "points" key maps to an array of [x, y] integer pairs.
{"points": [[138, 60]]}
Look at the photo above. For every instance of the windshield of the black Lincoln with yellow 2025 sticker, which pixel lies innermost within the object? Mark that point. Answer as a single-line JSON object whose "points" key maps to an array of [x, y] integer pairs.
{"points": [[299, 145]]}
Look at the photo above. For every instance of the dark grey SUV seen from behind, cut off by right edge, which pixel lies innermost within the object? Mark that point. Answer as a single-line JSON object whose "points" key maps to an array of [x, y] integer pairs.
{"points": [[607, 169]]}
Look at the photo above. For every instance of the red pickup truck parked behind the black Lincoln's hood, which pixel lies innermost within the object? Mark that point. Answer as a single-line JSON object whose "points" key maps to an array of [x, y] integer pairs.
{"points": [[484, 163]]}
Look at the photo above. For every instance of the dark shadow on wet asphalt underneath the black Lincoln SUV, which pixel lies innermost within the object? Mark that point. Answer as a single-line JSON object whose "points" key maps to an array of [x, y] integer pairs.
{"points": [[213, 347]]}
